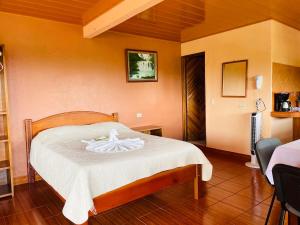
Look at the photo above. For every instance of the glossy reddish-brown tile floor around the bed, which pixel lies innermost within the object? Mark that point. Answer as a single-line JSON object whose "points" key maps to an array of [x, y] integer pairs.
{"points": [[236, 195]]}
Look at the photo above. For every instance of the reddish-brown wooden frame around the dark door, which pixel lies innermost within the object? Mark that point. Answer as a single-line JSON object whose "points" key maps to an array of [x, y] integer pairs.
{"points": [[184, 95]]}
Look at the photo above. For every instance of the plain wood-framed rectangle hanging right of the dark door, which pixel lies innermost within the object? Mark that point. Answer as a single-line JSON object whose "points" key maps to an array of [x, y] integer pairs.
{"points": [[234, 79]]}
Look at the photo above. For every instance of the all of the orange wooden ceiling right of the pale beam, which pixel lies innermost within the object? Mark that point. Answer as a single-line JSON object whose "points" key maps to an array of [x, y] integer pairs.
{"points": [[200, 18]]}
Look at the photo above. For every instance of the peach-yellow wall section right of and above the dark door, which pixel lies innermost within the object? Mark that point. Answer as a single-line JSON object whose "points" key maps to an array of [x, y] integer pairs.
{"points": [[228, 119]]}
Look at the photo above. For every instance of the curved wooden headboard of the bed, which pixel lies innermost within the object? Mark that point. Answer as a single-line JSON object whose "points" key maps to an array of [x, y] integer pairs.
{"points": [[32, 128]]}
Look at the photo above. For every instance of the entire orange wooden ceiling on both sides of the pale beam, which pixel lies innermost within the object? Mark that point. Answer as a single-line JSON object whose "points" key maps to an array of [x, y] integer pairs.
{"points": [[176, 20]]}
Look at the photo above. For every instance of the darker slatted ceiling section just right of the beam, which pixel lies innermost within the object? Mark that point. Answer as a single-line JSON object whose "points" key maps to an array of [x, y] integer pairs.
{"points": [[165, 20]]}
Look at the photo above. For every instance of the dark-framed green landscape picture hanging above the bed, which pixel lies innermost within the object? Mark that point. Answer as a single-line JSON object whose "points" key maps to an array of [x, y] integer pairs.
{"points": [[141, 65]]}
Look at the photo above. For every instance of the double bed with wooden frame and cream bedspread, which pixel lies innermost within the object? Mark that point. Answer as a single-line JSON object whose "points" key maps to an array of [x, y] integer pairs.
{"points": [[91, 183]]}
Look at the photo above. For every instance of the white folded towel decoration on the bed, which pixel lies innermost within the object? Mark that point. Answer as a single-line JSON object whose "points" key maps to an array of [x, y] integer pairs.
{"points": [[113, 144]]}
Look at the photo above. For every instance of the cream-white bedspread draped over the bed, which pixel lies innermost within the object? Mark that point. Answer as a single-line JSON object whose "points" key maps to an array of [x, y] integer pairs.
{"points": [[59, 156]]}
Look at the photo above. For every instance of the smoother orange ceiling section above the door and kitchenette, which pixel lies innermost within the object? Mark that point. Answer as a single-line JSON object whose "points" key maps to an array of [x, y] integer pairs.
{"points": [[223, 15]]}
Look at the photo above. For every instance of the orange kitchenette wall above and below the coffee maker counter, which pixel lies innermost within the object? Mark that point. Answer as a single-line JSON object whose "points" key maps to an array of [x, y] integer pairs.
{"points": [[285, 50]]}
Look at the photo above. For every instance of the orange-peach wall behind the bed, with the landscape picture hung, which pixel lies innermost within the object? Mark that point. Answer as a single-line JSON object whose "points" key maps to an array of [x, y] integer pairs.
{"points": [[52, 69]]}
